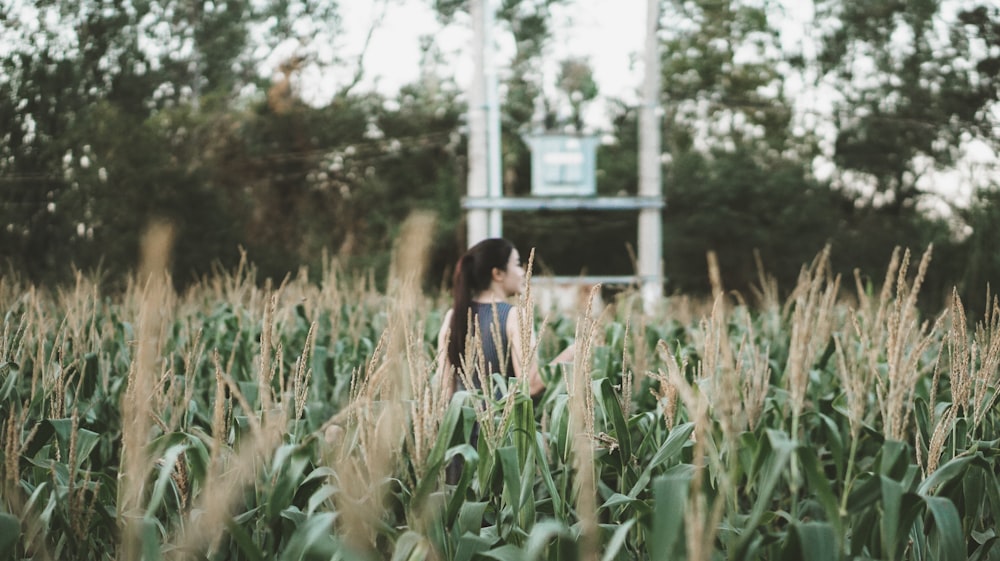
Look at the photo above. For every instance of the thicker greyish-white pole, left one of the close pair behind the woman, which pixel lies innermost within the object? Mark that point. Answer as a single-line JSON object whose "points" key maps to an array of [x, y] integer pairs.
{"points": [[476, 219]]}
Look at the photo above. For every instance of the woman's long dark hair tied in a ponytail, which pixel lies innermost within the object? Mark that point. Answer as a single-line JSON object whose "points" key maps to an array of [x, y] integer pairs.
{"points": [[473, 274]]}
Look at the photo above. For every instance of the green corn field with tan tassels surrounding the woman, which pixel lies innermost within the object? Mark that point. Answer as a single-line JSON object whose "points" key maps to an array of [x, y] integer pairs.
{"points": [[304, 420]]}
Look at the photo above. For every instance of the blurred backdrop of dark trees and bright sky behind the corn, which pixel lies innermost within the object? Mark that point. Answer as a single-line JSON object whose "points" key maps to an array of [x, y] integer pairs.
{"points": [[301, 130]]}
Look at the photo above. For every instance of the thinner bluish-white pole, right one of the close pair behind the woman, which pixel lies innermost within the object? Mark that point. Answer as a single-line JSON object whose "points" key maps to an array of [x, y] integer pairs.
{"points": [[494, 179]]}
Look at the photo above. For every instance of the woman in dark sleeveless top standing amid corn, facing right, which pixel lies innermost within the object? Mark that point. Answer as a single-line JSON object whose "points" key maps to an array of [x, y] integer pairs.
{"points": [[488, 274]]}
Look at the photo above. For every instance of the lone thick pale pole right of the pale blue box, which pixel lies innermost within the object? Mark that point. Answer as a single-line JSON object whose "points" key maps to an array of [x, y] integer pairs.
{"points": [[650, 183]]}
